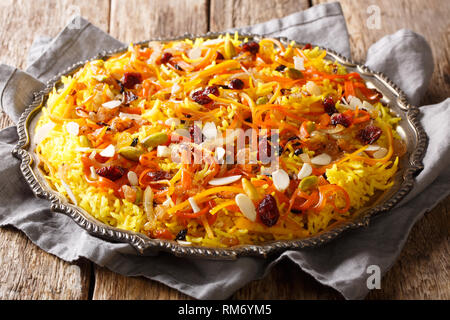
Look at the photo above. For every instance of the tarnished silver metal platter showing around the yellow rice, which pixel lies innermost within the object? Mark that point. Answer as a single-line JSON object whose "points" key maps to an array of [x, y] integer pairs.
{"points": [[410, 165]]}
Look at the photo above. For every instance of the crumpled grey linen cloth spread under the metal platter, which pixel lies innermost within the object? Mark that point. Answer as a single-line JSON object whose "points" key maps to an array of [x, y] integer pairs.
{"points": [[341, 264]]}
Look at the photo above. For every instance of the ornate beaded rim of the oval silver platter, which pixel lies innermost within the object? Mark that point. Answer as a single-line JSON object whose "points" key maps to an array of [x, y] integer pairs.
{"points": [[143, 244]]}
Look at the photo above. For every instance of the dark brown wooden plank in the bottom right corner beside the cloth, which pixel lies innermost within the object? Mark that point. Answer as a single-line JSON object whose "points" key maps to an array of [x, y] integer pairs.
{"points": [[423, 268]]}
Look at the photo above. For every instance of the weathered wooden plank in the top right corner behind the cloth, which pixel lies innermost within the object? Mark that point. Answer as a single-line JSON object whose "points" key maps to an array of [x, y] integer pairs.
{"points": [[430, 19]]}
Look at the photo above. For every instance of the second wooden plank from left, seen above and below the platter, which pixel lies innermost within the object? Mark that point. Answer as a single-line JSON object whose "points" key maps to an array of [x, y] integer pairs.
{"points": [[134, 21]]}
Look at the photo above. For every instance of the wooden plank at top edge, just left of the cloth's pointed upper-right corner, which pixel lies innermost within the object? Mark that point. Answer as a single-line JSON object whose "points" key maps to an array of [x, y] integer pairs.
{"points": [[239, 13]]}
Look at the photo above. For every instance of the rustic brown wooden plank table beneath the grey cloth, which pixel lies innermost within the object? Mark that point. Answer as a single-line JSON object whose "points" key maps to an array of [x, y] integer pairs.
{"points": [[26, 272]]}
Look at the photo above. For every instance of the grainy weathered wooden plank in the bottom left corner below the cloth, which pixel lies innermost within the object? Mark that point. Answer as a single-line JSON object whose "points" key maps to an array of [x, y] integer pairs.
{"points": [[27, 272]]}
